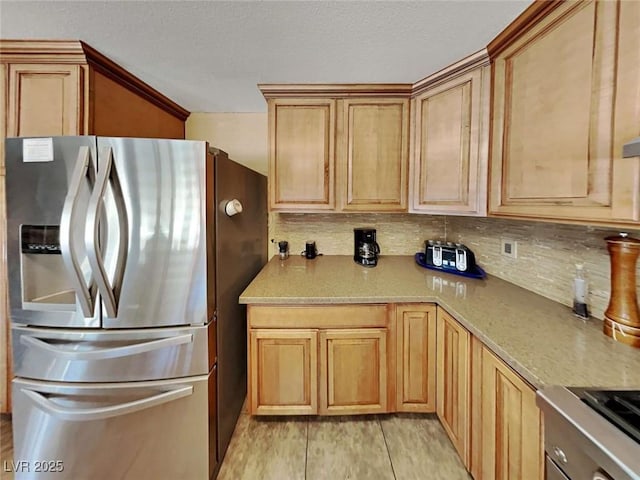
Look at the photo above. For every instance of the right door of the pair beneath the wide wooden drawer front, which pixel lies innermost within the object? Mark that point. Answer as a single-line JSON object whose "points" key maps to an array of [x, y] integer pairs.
{"points": [[353, 371]]}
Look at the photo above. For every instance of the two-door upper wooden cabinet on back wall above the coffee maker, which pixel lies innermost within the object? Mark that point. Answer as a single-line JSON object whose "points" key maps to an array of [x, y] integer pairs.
{"points": [[338, 147]]}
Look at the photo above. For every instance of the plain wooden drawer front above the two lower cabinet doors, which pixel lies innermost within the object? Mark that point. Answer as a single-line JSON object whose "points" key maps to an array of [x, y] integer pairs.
{"points": [[325, 316]]}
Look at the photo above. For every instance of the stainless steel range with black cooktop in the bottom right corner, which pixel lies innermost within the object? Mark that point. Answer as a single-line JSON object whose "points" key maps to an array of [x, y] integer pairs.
{"points": [[591, 434]]}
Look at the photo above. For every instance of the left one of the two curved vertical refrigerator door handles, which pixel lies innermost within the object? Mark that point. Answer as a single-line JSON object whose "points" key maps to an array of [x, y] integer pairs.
{"points": [[67, 222]]}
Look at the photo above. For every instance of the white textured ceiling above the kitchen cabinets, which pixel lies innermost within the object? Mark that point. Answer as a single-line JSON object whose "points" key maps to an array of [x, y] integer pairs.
{"points": [[208, 56]]}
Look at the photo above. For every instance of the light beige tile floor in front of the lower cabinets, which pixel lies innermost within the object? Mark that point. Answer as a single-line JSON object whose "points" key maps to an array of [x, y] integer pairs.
{"points": [[380, 447]]}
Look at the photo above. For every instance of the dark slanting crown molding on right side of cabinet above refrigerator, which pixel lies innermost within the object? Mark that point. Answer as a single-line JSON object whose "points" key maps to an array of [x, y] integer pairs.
{"points": [[118, 74]]}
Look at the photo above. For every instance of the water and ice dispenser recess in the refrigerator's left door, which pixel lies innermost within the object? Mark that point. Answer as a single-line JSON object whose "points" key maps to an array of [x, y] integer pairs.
{"points": [[44, 279]]}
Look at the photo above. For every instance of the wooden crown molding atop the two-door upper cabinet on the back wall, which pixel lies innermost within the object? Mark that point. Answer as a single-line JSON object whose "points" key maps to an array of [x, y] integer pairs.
{"points": [[336, 90]]}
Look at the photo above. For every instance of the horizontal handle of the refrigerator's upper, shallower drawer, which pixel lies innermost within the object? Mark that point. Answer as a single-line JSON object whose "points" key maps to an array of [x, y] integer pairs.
{"points": [[105, 353]]}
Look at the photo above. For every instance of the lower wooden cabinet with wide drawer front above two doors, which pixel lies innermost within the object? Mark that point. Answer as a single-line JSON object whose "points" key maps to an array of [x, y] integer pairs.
{"points": [[314, 370]]}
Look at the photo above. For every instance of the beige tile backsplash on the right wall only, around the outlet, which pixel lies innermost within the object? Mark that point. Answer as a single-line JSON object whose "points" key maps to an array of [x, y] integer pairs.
{"points": [[547, 254]]}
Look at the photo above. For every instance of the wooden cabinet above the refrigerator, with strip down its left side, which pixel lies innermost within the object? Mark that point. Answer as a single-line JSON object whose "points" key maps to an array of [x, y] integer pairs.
{"points": [[52, 88]]}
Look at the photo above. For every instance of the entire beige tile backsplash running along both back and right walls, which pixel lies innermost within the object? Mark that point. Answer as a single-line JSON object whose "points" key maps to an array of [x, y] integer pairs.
{"points": [[546, 252]]}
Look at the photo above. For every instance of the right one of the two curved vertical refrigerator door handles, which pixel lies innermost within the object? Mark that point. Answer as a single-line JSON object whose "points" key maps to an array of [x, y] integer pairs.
{"points": [[107, 173]]}
